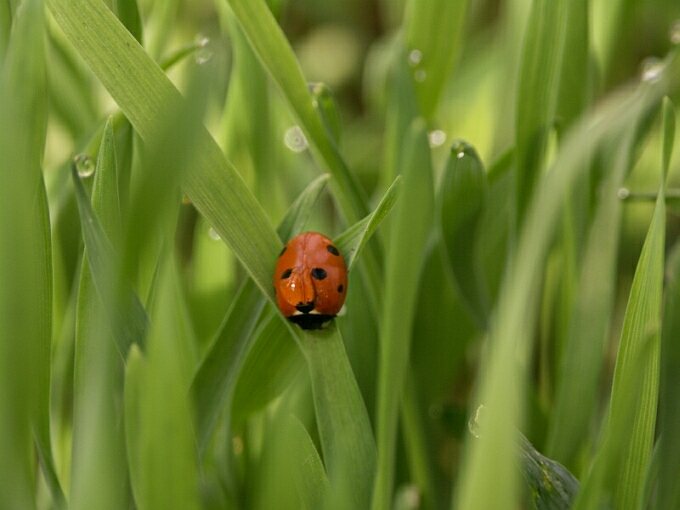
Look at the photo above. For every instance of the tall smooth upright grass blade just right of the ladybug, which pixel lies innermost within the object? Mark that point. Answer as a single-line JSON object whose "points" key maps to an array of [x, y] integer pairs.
{"points": [[409, 233]]}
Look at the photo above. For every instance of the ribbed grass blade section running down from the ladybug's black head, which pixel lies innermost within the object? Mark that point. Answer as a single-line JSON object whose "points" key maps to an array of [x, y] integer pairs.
{"points": [[341, 416]]}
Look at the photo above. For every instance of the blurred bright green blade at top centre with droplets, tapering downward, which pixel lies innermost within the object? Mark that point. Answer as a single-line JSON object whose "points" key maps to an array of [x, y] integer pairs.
{"points": [[434, 30]]}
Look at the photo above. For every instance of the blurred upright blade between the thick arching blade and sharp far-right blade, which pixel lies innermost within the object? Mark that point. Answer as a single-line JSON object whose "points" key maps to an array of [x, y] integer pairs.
{"points": [[582, 357]]}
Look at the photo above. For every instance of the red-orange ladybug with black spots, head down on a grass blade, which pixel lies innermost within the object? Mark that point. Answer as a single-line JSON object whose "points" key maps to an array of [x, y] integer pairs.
{"points": [[310, 280]]}
